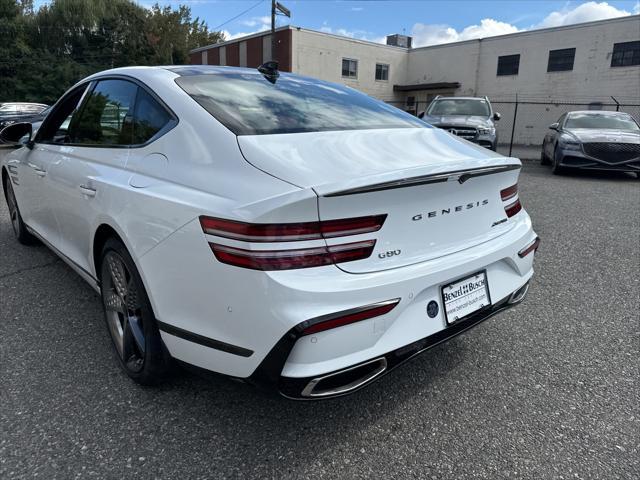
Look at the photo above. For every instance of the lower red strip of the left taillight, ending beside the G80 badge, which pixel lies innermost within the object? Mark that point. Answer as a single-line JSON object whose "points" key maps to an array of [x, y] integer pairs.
{"points": [[292, 258]]}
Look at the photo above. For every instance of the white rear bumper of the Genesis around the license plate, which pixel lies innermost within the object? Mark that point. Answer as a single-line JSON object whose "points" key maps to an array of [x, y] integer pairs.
{"points": [[239, 322]]}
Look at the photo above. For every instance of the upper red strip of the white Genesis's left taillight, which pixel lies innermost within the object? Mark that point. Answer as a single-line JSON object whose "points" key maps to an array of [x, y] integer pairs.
{"points": [[290, 232]]}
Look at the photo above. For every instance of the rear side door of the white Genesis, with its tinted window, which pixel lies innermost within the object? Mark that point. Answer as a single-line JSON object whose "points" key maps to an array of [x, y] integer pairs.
{"points": [[90, 166]]}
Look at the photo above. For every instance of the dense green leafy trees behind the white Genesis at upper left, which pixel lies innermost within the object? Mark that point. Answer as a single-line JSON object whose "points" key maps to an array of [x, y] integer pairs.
{"points": [[44, 52]]}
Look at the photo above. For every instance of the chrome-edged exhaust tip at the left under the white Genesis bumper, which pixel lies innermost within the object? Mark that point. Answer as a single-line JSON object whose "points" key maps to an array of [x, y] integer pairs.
{"points": [[346, 380]]}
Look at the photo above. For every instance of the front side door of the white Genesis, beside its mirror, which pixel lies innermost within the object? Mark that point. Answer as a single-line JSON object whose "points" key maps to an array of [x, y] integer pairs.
{"points": [[35, 193]]}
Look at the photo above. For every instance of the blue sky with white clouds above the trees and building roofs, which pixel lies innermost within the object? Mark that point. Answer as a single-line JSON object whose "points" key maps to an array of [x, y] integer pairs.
{"points": [[429, 21]]}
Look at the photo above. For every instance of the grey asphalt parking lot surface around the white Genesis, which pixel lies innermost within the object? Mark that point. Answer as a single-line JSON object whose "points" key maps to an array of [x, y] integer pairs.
{"points": [[547, 390]]}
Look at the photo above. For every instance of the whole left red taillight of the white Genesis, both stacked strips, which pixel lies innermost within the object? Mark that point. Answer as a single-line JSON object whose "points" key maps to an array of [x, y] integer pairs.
{"points": [[291, 258]]}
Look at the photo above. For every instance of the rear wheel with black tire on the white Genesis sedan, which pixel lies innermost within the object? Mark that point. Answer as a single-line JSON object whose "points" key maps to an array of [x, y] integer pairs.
{"points": [[129, 317]]}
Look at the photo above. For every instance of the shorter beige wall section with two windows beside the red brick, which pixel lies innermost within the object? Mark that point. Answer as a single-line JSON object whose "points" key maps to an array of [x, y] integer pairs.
{"points": [[320, 55]]}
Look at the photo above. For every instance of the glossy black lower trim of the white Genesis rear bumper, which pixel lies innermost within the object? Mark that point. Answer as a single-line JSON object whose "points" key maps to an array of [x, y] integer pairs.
{"points": [[267, 375]]}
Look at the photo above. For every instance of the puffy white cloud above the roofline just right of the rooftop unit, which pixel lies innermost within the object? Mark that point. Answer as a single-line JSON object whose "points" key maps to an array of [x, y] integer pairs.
{"points": [[435, 34]]}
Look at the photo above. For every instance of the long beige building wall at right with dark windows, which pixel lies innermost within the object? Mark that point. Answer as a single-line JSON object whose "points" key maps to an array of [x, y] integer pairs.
{"points": [[474, 64]]}
